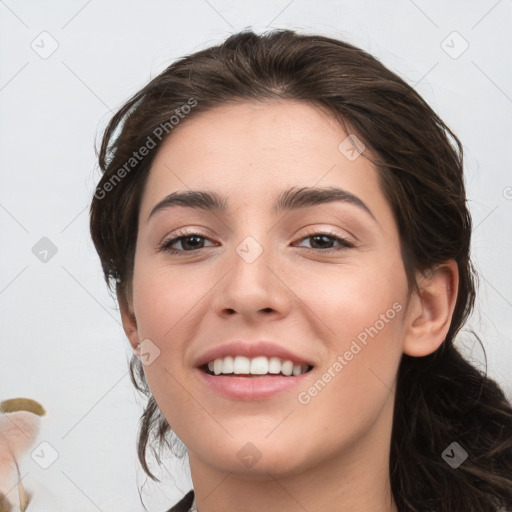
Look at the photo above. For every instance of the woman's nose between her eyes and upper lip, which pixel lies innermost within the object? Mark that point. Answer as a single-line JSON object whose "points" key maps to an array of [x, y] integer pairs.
{"points": [[255, 285]]}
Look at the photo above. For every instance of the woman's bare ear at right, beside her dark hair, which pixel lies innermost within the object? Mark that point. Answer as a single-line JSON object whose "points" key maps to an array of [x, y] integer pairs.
{"points": [[430, 311]]}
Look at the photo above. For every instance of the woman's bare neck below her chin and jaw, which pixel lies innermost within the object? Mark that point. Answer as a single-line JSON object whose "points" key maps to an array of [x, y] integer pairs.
{"points": [[356, 478]]}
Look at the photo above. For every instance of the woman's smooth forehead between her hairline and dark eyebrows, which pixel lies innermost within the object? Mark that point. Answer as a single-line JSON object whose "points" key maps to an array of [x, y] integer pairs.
{"points": [[253, 151]]}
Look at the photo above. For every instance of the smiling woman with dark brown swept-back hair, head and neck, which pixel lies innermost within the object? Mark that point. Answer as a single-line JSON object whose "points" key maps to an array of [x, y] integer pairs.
{"points": [[285, 221]]}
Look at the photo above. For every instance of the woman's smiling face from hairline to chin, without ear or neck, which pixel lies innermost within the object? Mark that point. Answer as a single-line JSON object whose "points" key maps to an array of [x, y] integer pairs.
{"points": [[318, 279]]}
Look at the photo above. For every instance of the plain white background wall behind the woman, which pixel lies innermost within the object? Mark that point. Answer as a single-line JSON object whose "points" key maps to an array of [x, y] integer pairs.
{"points": [[61, 339]]}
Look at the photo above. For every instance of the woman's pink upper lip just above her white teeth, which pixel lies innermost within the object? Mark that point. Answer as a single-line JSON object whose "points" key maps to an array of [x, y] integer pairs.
{"points": [[249, 349]]}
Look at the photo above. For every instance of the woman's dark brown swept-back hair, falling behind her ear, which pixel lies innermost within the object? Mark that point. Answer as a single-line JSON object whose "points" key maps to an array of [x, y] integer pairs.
{"points": [[440, 398]]}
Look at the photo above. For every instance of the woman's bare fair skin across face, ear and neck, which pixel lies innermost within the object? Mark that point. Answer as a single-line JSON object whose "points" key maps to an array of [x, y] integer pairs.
{"points": [[333, 452]]}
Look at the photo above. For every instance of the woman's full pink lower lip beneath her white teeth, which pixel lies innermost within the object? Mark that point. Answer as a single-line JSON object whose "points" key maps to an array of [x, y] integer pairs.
{"points": [[252, 388]]}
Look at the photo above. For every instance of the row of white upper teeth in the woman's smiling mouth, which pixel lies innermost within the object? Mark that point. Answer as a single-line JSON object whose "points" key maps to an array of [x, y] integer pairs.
{"points": [[260, 365]]}
